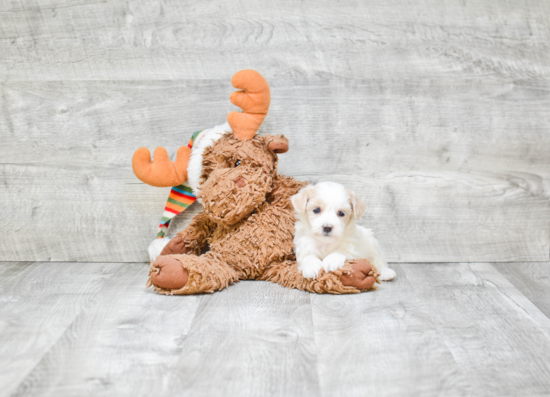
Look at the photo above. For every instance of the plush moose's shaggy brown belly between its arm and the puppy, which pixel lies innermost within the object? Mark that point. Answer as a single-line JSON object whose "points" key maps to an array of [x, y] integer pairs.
{"points": [[263, 238]]}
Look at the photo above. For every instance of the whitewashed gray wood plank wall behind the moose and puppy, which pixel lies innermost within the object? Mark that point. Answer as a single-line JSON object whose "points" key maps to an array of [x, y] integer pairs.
{"points": [[435, 112]]}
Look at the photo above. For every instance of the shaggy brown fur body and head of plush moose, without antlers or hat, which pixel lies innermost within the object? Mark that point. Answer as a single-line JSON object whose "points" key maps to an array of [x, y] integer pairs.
{"points": [[248, 225]]}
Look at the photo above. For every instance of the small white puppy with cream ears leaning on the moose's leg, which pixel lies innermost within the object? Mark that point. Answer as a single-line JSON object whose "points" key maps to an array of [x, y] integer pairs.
{"points": [[326, 233]]}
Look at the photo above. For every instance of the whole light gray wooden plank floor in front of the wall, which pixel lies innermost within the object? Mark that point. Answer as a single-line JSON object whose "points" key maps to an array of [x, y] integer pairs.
{"points": [[72, 329]]}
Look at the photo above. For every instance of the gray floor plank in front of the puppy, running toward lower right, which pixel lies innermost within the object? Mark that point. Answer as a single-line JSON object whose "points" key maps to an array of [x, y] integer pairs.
{"points": [[383, 343]]}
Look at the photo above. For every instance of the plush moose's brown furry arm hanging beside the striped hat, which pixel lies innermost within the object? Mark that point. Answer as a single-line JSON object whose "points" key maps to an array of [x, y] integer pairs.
{"points": [[192, 239]]}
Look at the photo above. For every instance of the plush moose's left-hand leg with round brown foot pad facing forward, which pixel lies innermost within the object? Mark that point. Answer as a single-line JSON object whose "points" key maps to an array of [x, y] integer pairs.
{"points": [[190, 274]]}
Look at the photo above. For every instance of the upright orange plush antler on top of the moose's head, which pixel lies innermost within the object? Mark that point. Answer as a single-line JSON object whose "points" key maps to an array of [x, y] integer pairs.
{"points": [[253, 98]]}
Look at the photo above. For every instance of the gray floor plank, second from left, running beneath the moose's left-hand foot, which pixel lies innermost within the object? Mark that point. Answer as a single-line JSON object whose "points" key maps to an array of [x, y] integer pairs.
{"points": [[123, 344]]}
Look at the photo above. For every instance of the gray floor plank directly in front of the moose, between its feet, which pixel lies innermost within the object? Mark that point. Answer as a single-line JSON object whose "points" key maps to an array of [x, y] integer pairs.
{"points": [[253, 339]]}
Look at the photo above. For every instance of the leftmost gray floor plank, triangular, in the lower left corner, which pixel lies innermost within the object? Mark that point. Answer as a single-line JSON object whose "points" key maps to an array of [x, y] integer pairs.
{"points": [[39, 303]]}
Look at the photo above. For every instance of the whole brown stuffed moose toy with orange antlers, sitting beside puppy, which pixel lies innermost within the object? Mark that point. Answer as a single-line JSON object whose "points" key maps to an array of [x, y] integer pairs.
{"points": [[245, 231]]}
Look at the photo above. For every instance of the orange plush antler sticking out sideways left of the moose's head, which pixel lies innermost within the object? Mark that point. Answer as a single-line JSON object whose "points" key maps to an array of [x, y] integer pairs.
{"points": [[161, 172]]}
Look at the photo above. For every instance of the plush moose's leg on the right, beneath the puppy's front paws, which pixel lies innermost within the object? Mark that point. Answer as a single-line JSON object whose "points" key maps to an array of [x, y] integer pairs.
{"points": [[357, 275]]}
